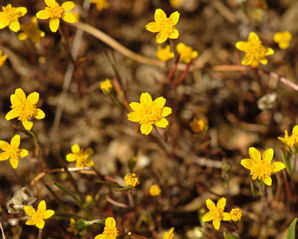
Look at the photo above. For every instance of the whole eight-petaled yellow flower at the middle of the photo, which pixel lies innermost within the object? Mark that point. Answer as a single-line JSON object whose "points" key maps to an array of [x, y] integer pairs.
{"points": [[149, 112]]}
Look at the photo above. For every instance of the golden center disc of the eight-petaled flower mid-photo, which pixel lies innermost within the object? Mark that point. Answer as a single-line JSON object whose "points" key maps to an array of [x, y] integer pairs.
{"points": [[150, 114]]}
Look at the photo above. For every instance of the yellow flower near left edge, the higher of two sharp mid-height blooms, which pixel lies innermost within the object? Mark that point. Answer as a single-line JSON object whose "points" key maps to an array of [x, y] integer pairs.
{"points": [[24, 108]]}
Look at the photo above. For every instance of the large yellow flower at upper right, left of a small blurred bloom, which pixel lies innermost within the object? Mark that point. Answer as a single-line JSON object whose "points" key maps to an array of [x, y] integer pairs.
{"points": [[255, 52]]}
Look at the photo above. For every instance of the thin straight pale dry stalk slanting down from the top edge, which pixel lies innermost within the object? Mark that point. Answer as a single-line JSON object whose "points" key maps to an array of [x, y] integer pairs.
{"points": [[68, 76]]}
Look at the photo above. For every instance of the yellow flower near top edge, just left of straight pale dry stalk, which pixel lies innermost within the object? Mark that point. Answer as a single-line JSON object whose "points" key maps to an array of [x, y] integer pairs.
{"points": [[54, 11]]}
